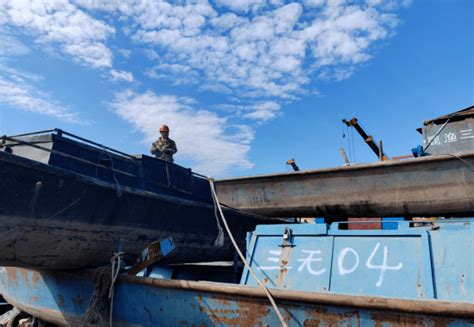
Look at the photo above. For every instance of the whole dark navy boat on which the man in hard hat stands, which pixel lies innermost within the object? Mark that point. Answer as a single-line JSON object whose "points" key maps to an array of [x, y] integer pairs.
{"points": [[68, 203]]}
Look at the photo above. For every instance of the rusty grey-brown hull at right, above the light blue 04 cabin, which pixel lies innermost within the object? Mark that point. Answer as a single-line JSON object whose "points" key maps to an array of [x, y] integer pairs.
{"points": [[440, 185]]}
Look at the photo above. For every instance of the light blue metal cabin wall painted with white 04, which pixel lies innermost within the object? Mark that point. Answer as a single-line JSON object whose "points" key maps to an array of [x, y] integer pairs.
{"points": [[434, 261]]}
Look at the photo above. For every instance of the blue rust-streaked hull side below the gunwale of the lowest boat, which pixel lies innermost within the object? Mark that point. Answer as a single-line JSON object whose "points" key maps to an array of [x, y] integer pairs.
{"points": [[67, 294]]}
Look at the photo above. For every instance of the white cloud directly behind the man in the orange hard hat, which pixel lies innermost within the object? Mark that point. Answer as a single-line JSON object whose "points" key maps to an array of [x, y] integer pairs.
{"points": [[207, 141]]}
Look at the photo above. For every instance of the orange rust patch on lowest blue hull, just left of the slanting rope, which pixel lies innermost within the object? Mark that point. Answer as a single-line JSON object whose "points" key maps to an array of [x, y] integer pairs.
{"points": [[220, 310]]}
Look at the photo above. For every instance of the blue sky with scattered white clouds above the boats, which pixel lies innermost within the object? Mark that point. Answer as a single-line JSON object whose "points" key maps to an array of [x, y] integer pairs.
{"points": [[244, 85]]}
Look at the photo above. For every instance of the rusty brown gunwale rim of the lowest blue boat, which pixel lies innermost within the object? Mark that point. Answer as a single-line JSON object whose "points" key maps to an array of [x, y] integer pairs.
{"points": [[432, 307]]}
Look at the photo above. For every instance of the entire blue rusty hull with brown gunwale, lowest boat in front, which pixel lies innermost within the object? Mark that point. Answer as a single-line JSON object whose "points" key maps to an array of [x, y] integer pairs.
{"points": [[62, 298]]}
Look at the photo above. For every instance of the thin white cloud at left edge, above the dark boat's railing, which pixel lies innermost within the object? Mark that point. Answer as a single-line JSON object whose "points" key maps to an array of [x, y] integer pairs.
{"points": [[18, 91]]}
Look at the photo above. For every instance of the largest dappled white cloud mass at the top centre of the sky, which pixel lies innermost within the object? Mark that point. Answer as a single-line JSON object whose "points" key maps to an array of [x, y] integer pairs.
{"points": [[259, 48]]}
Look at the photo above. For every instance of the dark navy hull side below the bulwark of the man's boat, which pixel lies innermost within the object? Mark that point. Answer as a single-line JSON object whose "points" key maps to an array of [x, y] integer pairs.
{"points": [[56, 219]]}
